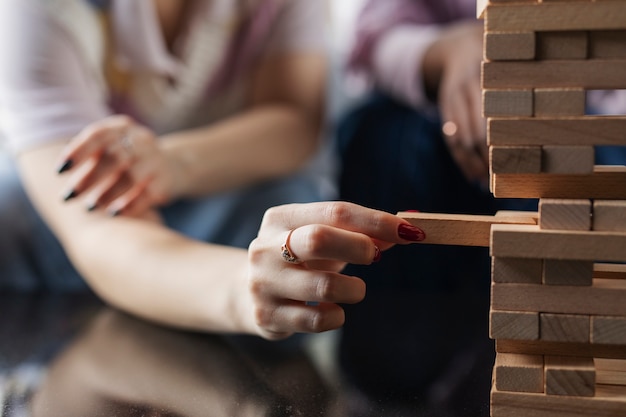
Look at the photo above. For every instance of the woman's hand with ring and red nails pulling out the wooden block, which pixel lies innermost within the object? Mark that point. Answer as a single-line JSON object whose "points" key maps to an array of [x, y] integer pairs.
{"points": [[304, 296]]}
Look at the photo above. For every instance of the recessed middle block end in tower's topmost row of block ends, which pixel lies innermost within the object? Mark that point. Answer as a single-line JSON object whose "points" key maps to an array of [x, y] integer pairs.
{"points": [[562, 45]]}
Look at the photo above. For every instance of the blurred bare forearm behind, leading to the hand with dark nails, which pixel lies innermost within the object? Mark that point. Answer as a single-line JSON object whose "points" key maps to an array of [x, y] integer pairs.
{"points": [[268, 141]]}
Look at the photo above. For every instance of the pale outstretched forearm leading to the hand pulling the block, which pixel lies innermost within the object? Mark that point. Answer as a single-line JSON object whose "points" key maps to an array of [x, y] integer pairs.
{"points": [[138, 264]]}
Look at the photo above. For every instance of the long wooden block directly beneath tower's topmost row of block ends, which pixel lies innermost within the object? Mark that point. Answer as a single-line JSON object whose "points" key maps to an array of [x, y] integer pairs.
{"points": [[590, 74]]}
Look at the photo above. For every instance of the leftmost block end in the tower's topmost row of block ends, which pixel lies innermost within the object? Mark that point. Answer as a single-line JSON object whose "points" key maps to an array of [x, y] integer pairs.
{"points": [[508, 46]]}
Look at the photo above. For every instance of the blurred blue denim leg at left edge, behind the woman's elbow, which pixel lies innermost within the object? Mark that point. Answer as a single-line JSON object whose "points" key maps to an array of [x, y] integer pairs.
{"points": [[31, 258]]}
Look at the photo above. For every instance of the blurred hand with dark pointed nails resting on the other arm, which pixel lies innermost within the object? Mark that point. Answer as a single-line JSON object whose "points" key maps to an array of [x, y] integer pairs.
{"points": [[117, 165]]}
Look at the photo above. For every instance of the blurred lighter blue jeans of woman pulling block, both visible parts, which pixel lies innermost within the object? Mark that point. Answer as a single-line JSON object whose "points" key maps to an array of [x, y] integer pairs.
{"points": [[31, 258]]}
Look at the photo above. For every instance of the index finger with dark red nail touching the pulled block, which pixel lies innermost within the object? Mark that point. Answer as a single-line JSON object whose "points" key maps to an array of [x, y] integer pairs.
{"points": [[376, 224]]}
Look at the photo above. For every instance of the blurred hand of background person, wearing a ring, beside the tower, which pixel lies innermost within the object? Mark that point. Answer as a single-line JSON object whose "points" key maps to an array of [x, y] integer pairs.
{"points": [[459, 53]]}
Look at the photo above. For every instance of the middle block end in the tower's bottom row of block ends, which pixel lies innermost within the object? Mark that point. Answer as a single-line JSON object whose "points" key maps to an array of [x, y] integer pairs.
{"points": [[568, 375]]}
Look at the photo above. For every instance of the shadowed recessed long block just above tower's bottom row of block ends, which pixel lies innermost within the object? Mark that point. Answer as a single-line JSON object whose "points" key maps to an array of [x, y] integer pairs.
{"points": [[542, 347]]}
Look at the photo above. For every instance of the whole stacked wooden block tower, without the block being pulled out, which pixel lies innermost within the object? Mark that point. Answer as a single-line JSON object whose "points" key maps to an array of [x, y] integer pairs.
{"points": [[558, 308]]}
